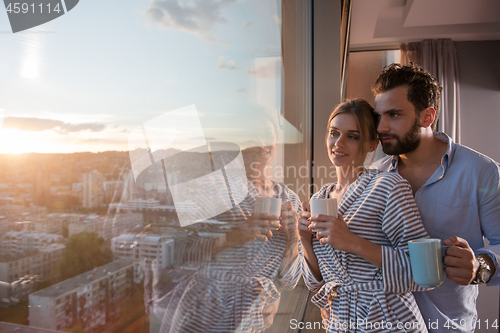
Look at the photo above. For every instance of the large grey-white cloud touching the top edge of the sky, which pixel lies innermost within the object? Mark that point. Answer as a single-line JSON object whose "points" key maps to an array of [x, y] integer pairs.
{"points": [[198, 17]]}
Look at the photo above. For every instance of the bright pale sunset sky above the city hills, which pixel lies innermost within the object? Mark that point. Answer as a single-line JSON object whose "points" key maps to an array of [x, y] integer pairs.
{"points": [[85, 80]]}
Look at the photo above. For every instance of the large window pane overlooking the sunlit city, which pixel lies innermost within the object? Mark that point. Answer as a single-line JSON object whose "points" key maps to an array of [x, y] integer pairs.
{"points": [[135, 136]]}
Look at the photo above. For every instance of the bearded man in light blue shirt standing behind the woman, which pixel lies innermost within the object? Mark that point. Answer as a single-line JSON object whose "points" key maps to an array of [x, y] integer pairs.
{"points": [[457, 191]]}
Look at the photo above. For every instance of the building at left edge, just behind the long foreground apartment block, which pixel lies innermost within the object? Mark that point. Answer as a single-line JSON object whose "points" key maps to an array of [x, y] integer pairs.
{"points": [[44, 263]]}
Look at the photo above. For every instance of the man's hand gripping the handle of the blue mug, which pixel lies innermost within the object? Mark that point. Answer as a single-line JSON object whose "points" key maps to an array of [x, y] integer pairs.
{"points": [[461, 261]]}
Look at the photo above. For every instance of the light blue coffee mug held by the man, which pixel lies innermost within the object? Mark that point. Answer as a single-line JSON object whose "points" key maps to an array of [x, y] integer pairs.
{"points": [[426, 257]]}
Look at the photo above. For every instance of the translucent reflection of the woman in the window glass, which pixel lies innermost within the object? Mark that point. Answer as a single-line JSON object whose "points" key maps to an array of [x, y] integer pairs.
{"points": [[237, 290]]}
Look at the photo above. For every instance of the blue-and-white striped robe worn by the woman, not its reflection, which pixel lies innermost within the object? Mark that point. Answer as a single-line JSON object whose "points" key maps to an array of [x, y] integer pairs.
{"points": [[379, 207]]}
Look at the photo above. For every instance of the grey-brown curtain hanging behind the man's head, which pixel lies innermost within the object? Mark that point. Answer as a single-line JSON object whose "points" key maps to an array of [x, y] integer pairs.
{"points": [[439, 57]]}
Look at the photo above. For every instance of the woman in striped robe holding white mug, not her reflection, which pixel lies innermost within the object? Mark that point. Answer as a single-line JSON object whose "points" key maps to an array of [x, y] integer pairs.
{"points": [[359, 262]]}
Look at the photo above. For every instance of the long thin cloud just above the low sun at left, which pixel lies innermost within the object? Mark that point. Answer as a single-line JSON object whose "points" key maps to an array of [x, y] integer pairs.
{"points": [[41, 124]]}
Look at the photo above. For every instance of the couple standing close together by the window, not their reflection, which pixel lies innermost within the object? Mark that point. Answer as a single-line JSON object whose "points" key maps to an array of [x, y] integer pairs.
{"points": [[363, 275]]}
